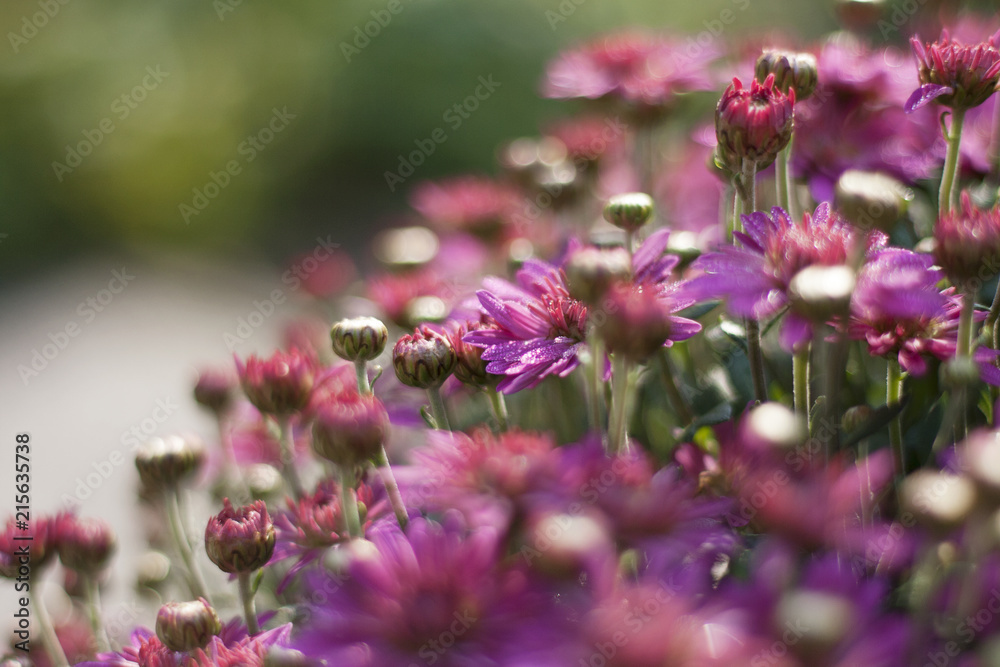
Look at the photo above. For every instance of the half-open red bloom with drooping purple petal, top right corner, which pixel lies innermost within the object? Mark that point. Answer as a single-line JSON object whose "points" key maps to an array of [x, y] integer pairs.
{"points": [[959, 76]]}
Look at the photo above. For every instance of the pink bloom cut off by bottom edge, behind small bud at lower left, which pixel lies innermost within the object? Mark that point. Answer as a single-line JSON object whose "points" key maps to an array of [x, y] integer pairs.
{"points": [[232, 647]]}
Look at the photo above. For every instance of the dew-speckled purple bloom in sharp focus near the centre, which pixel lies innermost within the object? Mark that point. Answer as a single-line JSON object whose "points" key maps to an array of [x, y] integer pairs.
{"points": [[540, 328]]}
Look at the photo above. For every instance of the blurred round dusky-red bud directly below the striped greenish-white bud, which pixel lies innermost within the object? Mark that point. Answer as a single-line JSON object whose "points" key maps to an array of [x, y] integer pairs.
{"points": [[349, 429]]}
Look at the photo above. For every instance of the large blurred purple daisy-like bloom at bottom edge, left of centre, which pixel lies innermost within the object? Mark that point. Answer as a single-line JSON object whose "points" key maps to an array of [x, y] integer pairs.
{"points": [[437, 594]]}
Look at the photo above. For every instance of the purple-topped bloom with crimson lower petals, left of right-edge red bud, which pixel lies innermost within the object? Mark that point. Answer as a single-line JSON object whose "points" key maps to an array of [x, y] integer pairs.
{"points": [[898, 310]]}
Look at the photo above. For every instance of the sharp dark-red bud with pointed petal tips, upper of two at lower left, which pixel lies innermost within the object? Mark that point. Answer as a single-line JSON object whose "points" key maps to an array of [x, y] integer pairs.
{"points": [[240, 540]]}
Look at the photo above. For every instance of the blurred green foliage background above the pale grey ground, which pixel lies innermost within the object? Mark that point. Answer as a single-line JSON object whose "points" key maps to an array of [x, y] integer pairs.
{"points": [[70, 71]]}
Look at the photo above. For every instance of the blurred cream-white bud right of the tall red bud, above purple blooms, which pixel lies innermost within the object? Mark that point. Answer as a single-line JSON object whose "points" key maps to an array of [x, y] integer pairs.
{"points": [[871, 200]]}
